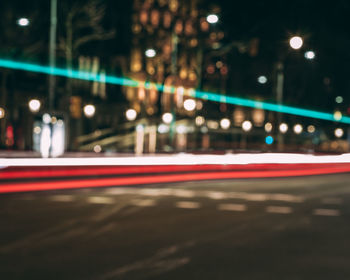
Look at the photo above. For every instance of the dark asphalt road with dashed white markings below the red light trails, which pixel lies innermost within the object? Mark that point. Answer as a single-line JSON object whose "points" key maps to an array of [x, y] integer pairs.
{"points": [[281, 228]]}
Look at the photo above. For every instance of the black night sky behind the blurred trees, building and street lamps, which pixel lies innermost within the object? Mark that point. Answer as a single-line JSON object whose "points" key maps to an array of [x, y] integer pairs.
{"points": [[322, 24]]}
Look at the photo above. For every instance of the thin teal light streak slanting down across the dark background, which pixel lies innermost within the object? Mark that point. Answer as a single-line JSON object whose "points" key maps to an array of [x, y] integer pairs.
{"points": [[197, 94]]}
